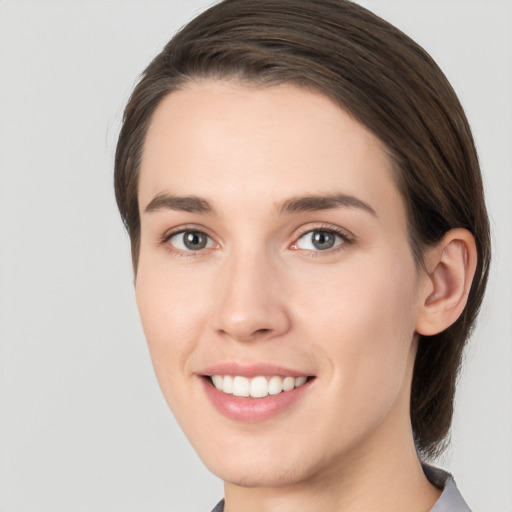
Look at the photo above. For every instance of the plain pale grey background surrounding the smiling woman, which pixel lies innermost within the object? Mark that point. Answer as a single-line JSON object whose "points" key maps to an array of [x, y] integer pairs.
{"points": [[83, 426]]}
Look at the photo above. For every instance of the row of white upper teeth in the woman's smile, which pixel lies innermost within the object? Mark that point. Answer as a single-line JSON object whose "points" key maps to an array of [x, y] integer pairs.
{"points": [[257, 387]]}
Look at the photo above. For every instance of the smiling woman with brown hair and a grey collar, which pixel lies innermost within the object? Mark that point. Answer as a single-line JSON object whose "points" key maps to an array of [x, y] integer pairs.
{"points": [[311, 246]]}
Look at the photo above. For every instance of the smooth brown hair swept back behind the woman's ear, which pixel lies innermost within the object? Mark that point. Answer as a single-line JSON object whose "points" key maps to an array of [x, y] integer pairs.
{"points": [[387, 82]]}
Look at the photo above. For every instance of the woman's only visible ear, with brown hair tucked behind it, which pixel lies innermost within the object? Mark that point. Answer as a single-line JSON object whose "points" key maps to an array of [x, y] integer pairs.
{"points": [[445, 287]]}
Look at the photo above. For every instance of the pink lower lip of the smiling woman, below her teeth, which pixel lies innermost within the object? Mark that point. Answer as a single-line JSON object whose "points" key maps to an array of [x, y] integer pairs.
{"points": [[252, 410]]}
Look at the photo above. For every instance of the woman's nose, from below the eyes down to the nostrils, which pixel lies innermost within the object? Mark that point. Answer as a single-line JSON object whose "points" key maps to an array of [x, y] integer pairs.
{"points": [[251, 302]]}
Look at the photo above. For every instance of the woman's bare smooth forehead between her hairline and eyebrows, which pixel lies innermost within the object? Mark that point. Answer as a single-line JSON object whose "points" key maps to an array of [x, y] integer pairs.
{"points": [[231, 142]]}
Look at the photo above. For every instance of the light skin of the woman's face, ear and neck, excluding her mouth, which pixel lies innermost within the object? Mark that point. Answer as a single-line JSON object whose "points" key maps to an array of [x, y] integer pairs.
{"points": [[258, 172]]}
